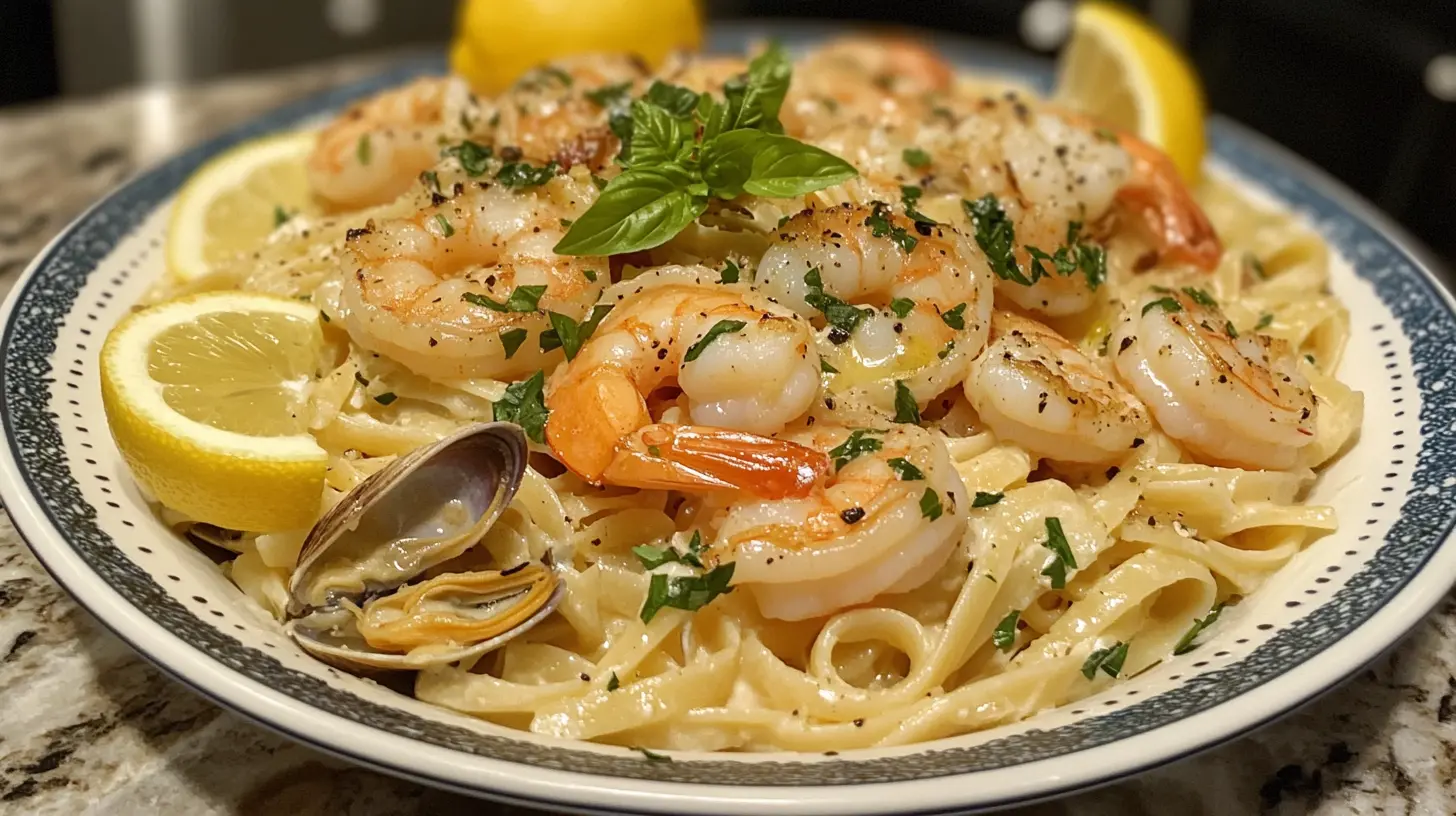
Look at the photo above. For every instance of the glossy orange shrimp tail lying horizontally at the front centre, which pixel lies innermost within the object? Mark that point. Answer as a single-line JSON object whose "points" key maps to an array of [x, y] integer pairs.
{"points": [[666, 457]]}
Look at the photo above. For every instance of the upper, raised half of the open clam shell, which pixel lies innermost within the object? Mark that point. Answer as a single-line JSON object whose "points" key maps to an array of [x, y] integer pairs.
{"points": [[422, 511]]}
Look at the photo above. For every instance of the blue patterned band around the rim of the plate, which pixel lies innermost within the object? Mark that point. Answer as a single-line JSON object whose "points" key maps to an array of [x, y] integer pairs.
{"points": [[1401, 279]]}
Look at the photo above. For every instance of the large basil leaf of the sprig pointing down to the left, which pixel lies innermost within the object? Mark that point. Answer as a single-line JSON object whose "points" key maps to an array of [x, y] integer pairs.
{"points": [[640, 209]]}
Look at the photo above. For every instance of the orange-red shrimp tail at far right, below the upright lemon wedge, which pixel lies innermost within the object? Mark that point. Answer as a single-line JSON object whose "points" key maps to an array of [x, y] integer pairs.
{"points": [[1158, 193]]}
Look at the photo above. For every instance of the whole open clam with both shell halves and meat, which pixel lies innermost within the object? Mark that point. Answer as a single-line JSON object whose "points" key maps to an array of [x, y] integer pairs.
{"points": [[356, 597]]}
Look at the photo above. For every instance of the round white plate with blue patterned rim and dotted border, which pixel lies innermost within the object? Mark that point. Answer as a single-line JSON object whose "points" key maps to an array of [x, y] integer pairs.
{"points": [[1337, 607]]}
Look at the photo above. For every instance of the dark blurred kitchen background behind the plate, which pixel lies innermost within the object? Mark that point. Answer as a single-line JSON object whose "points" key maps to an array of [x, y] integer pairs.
{"points": [[1365, 88]]}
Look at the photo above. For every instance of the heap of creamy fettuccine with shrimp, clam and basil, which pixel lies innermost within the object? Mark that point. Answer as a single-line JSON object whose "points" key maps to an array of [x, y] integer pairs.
{"points": [[758, 404]]}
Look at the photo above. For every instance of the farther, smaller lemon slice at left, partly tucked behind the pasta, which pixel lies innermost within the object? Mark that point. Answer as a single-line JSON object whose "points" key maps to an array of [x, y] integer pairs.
{"points": [[232, 203]]}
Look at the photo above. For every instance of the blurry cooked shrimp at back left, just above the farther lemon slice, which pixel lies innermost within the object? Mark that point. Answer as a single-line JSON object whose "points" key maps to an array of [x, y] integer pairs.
{"points": [[373, 152]]}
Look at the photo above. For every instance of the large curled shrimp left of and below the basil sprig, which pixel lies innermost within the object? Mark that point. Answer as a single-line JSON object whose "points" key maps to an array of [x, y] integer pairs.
{"points": [[435, 292]]}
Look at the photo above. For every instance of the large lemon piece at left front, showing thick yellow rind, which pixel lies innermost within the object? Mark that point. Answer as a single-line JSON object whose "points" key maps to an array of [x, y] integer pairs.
{"points": [[207, 400]]}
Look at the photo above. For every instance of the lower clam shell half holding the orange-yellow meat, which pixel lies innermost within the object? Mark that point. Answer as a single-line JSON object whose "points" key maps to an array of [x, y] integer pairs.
{"points": [[449, 619]]}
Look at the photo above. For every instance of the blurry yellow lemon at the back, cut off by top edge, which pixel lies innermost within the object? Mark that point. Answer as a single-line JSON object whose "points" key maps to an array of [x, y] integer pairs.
{"points": [[494, 47]]}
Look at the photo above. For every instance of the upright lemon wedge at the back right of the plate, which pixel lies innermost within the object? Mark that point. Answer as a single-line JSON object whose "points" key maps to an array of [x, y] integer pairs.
{"points": [[1126, 74]]}
